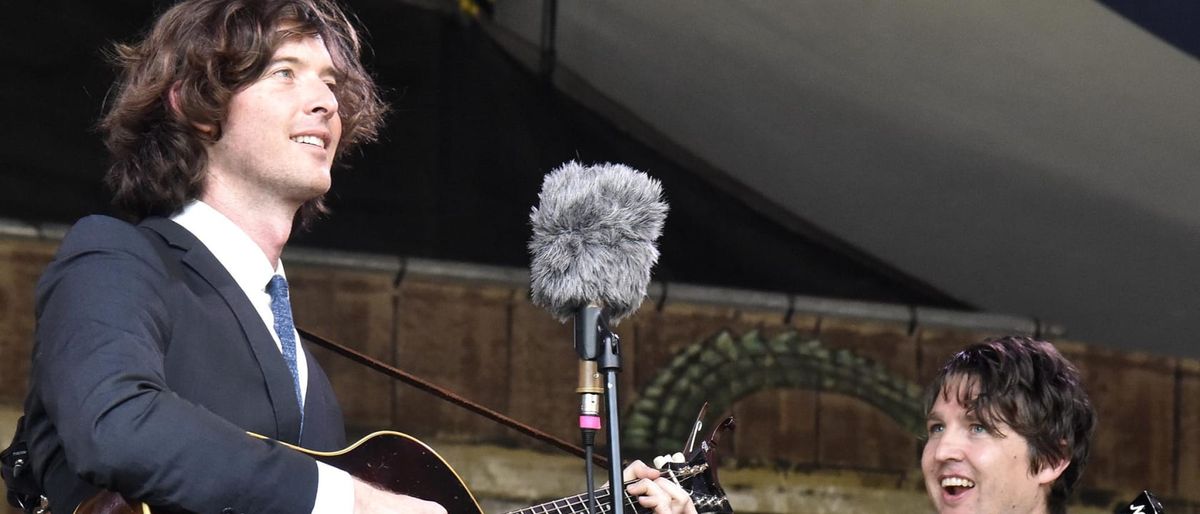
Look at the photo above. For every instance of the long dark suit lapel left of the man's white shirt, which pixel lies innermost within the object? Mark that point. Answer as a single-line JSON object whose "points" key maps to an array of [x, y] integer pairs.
{"points": [[275, 373]]}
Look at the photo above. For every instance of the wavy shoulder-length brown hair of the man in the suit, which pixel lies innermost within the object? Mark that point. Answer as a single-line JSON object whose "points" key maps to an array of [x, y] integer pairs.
{"points": [[207, 51]]}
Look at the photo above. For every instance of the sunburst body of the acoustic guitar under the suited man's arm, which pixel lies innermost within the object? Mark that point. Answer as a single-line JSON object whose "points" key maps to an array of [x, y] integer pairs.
{"points": [[393, 462]]}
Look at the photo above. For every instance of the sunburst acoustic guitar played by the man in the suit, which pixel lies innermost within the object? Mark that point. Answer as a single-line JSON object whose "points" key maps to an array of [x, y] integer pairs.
{"points": [[401, 464]]}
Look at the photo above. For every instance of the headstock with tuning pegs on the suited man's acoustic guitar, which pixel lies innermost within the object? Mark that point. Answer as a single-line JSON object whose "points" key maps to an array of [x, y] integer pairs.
{"points": [[698, 474]]}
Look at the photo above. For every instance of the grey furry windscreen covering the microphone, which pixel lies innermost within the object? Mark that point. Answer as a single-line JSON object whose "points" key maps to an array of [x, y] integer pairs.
{"points": [[595, 234]]}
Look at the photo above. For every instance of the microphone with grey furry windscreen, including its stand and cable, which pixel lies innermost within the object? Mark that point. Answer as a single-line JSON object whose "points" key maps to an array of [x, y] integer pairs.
{"points": [[593, 246]]}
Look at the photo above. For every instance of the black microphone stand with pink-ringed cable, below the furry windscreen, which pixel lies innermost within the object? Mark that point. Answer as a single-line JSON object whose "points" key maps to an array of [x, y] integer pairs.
{"points": [[596, 343]]}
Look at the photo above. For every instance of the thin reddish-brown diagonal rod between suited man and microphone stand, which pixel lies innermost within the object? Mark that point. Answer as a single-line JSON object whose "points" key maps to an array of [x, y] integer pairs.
{"points": [[448, 396]]}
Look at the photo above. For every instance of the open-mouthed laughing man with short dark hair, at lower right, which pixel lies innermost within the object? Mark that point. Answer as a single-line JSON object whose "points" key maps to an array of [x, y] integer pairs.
{"points": [[1010, 429]]}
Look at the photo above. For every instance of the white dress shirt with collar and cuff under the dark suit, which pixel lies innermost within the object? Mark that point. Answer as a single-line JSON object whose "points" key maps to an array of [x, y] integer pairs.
{"points": [[253, 271]]}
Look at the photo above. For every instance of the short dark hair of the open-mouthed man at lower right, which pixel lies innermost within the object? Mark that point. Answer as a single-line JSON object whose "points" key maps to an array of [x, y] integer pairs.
{"points": [[1028, 386]]}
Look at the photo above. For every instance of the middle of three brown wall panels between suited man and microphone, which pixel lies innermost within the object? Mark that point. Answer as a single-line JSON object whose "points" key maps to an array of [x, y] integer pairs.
{"points": [[455, 336]]}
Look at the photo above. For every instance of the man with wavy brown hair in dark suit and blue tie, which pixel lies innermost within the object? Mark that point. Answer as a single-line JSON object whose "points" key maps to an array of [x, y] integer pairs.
{"points": [[160, 345]]}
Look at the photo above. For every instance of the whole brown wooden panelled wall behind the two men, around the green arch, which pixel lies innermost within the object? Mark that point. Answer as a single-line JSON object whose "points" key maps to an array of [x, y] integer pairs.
{"points": [[489, 344]]}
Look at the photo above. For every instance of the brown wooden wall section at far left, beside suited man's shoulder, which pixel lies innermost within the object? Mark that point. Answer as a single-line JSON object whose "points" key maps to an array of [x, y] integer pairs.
{"points": [[22, 266]]}
